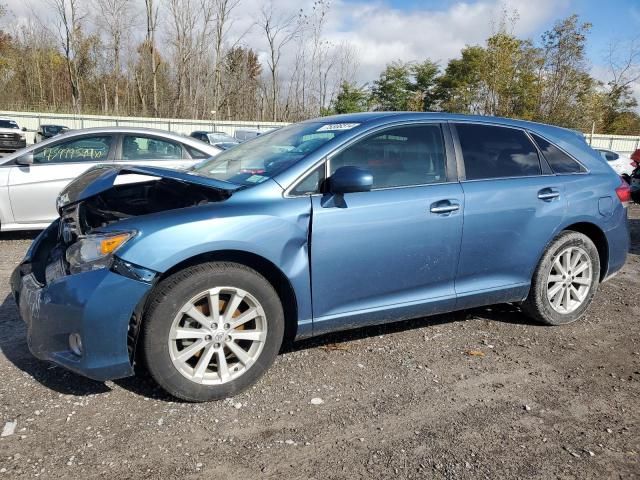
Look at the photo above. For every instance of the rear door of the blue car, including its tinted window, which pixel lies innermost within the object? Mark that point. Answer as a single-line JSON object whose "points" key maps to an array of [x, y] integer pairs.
{"points": [[513, 205]]}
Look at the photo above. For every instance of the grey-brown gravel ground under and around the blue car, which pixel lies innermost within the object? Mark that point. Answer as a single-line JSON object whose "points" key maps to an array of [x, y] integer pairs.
{"points": [[477, 394]]}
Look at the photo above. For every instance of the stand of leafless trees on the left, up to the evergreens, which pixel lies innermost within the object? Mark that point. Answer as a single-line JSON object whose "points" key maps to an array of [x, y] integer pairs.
{"points": [[172, 58]]}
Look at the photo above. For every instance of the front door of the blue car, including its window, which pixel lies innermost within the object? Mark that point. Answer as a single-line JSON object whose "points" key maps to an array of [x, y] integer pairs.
{"points": [[392, 252]]}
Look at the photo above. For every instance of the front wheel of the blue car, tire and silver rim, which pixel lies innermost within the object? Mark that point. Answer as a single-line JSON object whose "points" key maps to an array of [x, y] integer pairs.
{"points": [[211, 331]]}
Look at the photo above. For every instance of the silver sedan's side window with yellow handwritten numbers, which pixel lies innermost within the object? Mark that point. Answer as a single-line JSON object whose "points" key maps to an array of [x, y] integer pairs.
{"points": [[85, 149]]}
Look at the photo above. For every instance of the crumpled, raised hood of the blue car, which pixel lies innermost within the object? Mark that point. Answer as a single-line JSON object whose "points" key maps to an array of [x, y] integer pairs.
{"points": [[103, 177]]}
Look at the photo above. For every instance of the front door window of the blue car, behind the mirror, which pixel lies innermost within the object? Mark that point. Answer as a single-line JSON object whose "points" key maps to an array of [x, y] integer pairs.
{"points": [[401, 156]]}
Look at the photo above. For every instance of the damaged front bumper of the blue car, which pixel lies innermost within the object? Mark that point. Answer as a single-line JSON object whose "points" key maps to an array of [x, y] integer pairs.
{"points": [[98, 305]]}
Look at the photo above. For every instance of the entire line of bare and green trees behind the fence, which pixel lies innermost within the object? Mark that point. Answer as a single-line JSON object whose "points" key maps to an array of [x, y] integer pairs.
{"points": [[179, 58]]}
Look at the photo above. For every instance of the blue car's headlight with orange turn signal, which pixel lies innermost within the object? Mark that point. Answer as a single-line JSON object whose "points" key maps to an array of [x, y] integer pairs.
{"points": [[95, 251]]}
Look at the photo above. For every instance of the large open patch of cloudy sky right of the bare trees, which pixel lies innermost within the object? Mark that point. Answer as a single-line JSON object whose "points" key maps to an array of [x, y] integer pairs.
{"points": [[382, 34]]}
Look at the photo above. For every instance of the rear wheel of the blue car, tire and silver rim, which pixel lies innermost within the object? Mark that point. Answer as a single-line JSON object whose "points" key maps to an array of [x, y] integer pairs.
{"points": [[565, 280]]}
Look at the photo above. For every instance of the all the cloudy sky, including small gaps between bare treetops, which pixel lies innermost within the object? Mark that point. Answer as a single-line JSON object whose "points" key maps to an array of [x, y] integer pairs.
{"points": [[380, 33]]}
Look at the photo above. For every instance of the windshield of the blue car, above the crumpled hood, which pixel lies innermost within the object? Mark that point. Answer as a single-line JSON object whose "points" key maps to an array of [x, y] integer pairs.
{"points": [[265, 156]]}
